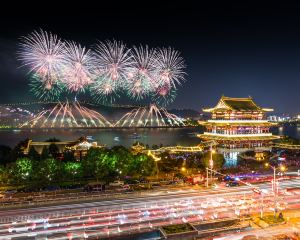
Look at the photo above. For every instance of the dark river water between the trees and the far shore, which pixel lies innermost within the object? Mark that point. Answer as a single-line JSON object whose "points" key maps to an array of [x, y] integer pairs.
{"points": [[126, 136]]}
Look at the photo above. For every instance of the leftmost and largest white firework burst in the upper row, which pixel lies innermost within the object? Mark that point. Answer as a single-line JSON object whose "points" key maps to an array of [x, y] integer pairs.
{"points": [[44, 53]]}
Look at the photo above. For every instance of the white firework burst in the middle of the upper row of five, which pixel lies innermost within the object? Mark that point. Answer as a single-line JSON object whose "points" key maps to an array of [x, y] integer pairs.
{"points": [[114, 59]]}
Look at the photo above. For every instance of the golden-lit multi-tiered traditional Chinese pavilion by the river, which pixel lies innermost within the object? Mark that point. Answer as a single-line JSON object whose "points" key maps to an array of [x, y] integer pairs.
{"points": [[238, 123]]}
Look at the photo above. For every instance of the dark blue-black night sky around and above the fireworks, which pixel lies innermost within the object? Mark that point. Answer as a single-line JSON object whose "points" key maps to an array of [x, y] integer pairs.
{"points": [[234, 49]]}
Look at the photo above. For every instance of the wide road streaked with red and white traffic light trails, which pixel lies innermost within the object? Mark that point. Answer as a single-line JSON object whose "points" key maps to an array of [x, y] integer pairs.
{"points": [[123, 216]]}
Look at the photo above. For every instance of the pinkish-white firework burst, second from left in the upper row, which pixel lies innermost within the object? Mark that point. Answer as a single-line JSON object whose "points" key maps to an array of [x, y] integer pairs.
{"points": [[79, 67]]}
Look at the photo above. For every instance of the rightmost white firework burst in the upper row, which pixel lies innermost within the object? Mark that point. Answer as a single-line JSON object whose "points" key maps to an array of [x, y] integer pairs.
{"points": [[170, 67]]}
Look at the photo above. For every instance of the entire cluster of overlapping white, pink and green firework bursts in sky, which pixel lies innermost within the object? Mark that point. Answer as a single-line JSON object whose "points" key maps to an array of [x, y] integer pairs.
{"points": [[109, 71]]}
